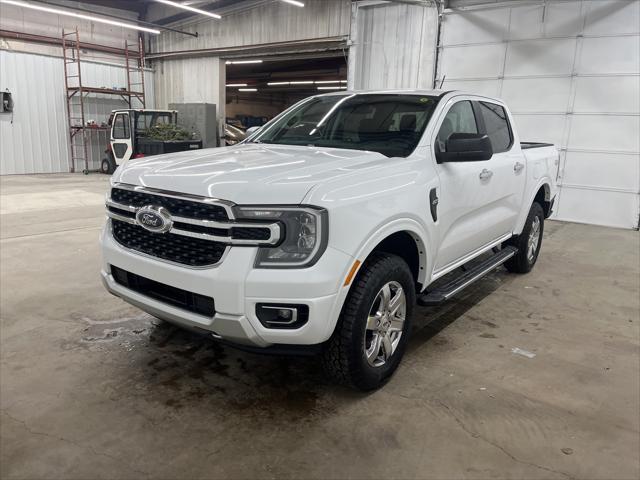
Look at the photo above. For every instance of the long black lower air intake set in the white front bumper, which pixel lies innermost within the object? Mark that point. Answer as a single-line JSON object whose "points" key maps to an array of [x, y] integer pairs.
{"points": [[193, 302]]}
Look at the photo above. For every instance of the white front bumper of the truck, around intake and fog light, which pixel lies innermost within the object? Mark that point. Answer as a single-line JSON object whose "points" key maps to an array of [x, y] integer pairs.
{"points": [[236, 287]]}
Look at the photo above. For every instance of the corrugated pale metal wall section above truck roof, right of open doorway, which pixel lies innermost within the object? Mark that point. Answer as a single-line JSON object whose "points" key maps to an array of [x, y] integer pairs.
{"points": [[393, 46]]}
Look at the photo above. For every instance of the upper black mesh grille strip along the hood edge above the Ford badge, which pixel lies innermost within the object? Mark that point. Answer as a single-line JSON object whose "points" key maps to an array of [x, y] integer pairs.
{"points": [[177, 206]]}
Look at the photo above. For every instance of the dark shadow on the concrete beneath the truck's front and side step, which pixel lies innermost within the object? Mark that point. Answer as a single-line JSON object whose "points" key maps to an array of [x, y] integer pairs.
{"points": [[184, 370]]}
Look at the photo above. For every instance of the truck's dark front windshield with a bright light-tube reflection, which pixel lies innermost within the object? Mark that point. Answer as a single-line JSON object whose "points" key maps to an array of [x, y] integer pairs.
{"points": [[390, 124]]}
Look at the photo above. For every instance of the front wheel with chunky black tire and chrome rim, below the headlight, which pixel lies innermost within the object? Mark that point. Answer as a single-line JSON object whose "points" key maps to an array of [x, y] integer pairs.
{"points": [[373, 328]]}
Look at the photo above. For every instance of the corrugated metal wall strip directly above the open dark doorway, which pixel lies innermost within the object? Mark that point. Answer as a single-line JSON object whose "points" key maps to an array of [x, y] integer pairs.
{"points": [[267, 23]]}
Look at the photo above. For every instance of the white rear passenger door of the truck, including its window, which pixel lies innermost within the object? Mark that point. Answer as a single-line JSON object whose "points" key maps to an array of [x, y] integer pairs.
{"points": [[507, 167]]}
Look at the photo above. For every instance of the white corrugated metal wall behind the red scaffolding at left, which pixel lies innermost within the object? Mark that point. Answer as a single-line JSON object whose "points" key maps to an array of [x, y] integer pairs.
{"points": [[34, 139]]}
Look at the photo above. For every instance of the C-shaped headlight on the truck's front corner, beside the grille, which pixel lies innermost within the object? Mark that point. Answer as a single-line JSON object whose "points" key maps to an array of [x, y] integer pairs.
{"points": [[305, 235]]}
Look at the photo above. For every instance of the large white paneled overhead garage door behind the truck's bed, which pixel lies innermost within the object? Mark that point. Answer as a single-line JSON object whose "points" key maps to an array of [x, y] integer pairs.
{"points": [[571, 73]]}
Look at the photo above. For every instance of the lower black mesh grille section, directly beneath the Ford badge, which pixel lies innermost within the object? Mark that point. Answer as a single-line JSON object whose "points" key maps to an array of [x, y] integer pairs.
{"points": [[194, 252]]}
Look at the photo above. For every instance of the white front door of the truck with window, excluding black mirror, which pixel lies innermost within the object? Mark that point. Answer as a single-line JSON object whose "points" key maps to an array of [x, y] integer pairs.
{"points": [[466, 206]]}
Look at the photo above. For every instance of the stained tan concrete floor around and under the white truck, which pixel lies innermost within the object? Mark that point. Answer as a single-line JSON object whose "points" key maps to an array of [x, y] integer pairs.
{"points": [[93, 388]]}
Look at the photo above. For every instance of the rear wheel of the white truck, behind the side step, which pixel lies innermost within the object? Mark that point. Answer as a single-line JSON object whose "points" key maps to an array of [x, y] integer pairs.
{"points": [[528, 242]]}
